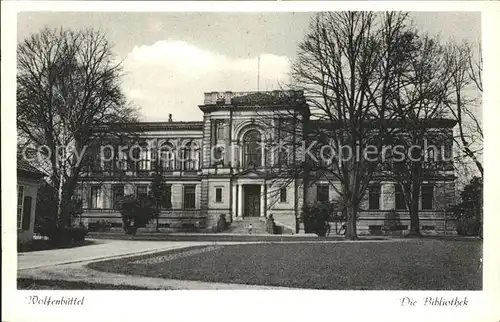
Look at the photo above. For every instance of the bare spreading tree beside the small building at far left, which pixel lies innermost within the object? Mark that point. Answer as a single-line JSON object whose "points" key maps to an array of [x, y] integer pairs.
{"points": [[68, 92]]}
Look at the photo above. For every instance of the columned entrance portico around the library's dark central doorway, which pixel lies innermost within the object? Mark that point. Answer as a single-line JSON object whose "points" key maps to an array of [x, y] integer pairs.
{"points": [[249, 199]]}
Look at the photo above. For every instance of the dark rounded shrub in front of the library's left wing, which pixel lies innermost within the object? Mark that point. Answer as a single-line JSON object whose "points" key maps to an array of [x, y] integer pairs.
{"points": [[136, 212]]}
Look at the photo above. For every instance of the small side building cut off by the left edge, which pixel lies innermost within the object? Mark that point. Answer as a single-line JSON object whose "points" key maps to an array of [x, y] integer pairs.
{"points": [[28, 181]]}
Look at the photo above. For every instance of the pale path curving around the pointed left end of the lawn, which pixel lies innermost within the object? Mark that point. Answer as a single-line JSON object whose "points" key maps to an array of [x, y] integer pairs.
{"points": [[70, 264]]}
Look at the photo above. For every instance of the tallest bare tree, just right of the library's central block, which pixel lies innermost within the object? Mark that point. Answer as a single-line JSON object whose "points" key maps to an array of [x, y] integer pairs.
{"points": [[347, 66]]}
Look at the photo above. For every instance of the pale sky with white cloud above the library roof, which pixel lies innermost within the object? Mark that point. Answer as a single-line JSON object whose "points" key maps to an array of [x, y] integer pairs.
{"points": [[171, 59]]}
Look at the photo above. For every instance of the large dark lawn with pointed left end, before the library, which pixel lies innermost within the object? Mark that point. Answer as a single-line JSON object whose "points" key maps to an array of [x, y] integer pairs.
{"points": [[424, 264]]}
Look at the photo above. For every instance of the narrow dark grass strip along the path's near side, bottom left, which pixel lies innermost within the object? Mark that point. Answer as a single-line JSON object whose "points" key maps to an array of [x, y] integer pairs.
{"points": [[32, 284]]}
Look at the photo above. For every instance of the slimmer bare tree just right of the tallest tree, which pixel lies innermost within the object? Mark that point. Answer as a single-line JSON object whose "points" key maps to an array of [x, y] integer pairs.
{"points": [[424, 134]]}
